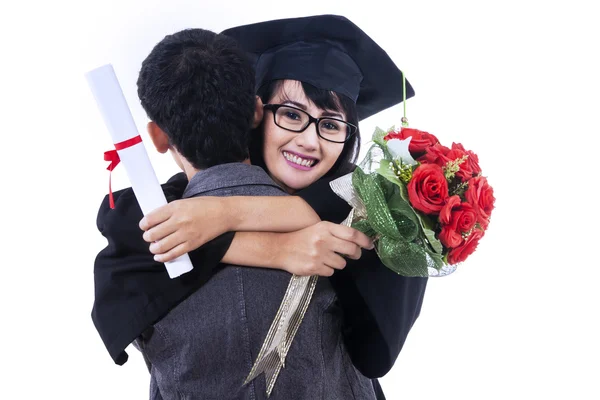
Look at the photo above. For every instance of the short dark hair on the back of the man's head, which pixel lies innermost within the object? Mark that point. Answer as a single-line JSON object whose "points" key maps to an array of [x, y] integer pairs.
{"points": [[198, 87]]}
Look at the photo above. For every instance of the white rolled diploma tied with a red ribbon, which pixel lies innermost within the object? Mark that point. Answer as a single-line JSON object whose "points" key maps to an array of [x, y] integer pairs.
{"points": [[118, 119]]}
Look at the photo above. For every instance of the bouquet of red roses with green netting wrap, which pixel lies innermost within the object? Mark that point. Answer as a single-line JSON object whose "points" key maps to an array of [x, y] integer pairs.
{"points": [[427, 205]]}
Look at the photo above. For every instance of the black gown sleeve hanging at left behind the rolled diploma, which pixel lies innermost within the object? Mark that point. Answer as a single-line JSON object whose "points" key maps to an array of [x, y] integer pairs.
{"points": [[132, 291]]}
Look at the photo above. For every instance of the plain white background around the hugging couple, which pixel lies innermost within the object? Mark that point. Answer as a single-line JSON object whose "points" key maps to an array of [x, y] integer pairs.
{"points": [[515, 81]]}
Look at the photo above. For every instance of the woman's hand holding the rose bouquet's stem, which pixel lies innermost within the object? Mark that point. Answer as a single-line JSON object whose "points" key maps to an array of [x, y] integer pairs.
{"points": [[320, 248]]}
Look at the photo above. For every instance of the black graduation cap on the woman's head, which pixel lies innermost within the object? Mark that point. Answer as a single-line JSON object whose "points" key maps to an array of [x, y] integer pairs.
{"points": [[327, 51]]}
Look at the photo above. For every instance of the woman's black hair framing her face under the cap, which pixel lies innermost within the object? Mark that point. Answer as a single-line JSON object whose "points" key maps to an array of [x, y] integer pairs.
{"points": [[326, 100]]}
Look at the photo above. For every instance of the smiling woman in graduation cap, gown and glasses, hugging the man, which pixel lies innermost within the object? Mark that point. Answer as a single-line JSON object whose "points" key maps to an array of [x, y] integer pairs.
{"points": [[295, 160]]}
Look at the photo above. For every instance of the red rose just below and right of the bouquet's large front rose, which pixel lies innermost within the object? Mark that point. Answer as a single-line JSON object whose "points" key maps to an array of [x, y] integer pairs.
{"points": [[457, 219]]}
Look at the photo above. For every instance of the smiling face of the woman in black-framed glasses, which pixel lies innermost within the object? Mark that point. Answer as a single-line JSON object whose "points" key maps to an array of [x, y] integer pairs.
{"points": [[296, 160]]}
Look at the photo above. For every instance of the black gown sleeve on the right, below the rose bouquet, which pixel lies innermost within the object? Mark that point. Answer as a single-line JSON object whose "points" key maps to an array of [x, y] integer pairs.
{"points": [[380, 307]]}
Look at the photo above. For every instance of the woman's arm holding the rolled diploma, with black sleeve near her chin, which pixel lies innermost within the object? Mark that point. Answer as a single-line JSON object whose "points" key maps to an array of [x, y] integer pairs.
{"points": [[184, 225]]}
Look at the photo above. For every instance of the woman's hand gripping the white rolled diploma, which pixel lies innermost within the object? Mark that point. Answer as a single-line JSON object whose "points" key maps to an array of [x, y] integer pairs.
{"points": [[184, 225]]}
